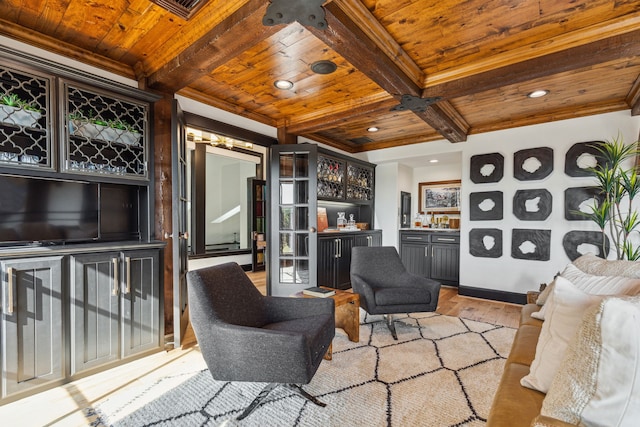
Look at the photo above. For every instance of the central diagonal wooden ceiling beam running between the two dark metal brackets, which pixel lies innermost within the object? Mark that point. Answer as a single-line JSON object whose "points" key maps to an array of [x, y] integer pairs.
{"points": [[347, 38]]}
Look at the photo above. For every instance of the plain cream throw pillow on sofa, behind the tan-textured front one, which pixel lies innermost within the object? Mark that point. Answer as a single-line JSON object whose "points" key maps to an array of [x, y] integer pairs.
{"points": [[565, 308]]}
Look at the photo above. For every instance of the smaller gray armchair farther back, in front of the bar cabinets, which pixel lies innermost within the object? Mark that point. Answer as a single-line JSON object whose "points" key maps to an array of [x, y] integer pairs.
{"points": [[386, 287]]}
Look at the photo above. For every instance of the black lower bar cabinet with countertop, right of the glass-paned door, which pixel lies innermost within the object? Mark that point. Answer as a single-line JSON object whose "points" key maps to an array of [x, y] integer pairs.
{"points": [[334, 255]]}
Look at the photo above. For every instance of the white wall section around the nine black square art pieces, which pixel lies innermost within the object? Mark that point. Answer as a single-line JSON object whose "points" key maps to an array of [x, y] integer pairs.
{"points": [[517, 275]]}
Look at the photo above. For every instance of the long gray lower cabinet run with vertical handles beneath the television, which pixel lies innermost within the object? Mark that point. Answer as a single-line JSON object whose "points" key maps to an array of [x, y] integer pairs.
{"points": [[76, 313]]}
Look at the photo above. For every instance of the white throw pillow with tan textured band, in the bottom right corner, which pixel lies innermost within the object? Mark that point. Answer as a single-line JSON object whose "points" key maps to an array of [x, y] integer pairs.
{"points": [[598, 382]]}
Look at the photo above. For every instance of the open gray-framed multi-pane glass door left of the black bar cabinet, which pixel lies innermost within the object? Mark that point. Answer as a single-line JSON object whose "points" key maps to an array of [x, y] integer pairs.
{"points": [[293, 219]]}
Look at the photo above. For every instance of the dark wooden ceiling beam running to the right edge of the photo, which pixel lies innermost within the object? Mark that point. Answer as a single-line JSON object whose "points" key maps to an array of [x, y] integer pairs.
{"points": [[615, 47]]}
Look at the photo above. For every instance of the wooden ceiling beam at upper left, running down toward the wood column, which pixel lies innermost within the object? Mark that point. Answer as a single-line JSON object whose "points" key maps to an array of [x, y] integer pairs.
{"points": [[233, 36]]}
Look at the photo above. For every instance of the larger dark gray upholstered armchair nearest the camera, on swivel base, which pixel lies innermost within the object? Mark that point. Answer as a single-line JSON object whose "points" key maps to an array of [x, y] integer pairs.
{"points": [[245, 336]]}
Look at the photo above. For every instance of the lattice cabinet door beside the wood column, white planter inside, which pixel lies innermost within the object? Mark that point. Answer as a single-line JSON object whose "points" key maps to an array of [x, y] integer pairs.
{"points": [[105, 133]]}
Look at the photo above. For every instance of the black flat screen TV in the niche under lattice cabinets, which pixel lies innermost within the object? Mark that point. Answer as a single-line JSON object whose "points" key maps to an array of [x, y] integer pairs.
{"points": [[35, 210]]}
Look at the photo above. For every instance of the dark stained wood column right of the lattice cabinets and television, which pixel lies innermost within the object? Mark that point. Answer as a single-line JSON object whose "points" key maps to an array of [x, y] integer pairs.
{"points": [[164, 203]]}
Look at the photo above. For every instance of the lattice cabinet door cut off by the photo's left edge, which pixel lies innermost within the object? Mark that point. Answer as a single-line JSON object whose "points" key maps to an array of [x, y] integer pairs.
{"points": [[25, 120]]}
